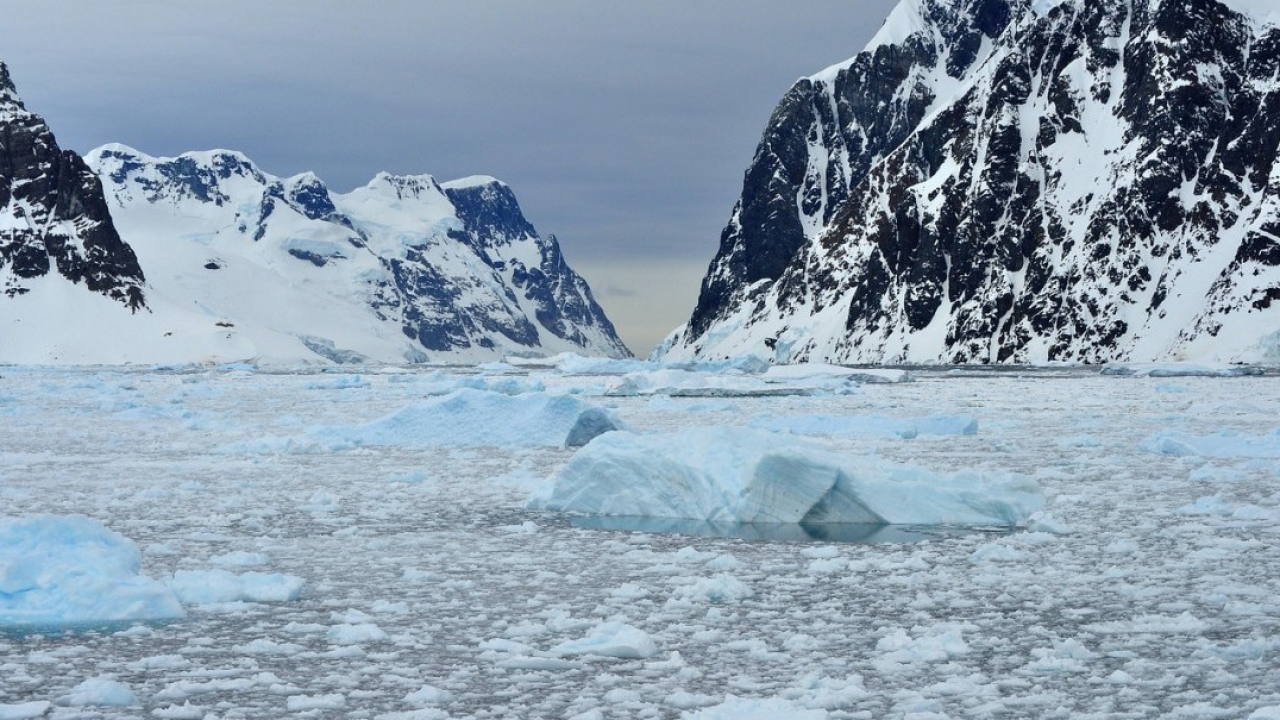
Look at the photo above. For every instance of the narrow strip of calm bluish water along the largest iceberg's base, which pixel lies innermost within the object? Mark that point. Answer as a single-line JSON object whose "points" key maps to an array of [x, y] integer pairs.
{"points": [[857, 534]]}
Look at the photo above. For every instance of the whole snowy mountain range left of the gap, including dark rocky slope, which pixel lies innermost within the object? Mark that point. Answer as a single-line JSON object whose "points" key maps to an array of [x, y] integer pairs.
{"points": [[207, 258]]}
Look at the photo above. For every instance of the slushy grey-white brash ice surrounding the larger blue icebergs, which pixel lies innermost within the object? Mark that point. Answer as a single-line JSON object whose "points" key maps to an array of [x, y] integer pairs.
{"points": [[1146, 587]]}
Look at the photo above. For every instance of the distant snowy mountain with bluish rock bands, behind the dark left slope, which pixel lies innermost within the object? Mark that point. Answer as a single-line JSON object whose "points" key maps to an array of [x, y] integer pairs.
{"points": [[403, 270]]}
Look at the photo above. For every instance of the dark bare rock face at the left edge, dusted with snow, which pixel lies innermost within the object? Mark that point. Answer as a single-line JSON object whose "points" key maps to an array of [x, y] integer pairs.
{"points": [[53, 216]]}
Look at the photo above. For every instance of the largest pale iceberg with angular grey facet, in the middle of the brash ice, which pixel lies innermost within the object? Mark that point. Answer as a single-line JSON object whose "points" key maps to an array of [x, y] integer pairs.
{"points": [[746, 476]]}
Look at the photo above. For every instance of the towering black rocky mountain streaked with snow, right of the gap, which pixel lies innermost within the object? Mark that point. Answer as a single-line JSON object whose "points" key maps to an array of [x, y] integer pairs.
{"points": [[1016, 181]]}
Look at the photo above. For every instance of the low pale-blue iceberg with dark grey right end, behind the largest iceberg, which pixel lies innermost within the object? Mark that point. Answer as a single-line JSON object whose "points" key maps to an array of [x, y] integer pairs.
{"points": [[481, 418]]}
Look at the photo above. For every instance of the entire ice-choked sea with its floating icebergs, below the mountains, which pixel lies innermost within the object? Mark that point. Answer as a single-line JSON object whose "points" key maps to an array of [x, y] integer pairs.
{"points": [[428, 544]]}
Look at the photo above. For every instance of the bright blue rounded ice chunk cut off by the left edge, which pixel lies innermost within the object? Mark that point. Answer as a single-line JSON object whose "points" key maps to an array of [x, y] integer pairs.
{"points": [[63, 571]]}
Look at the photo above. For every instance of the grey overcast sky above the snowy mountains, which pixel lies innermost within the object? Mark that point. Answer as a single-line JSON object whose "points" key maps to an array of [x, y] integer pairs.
{"points": [[623, 127]]}
